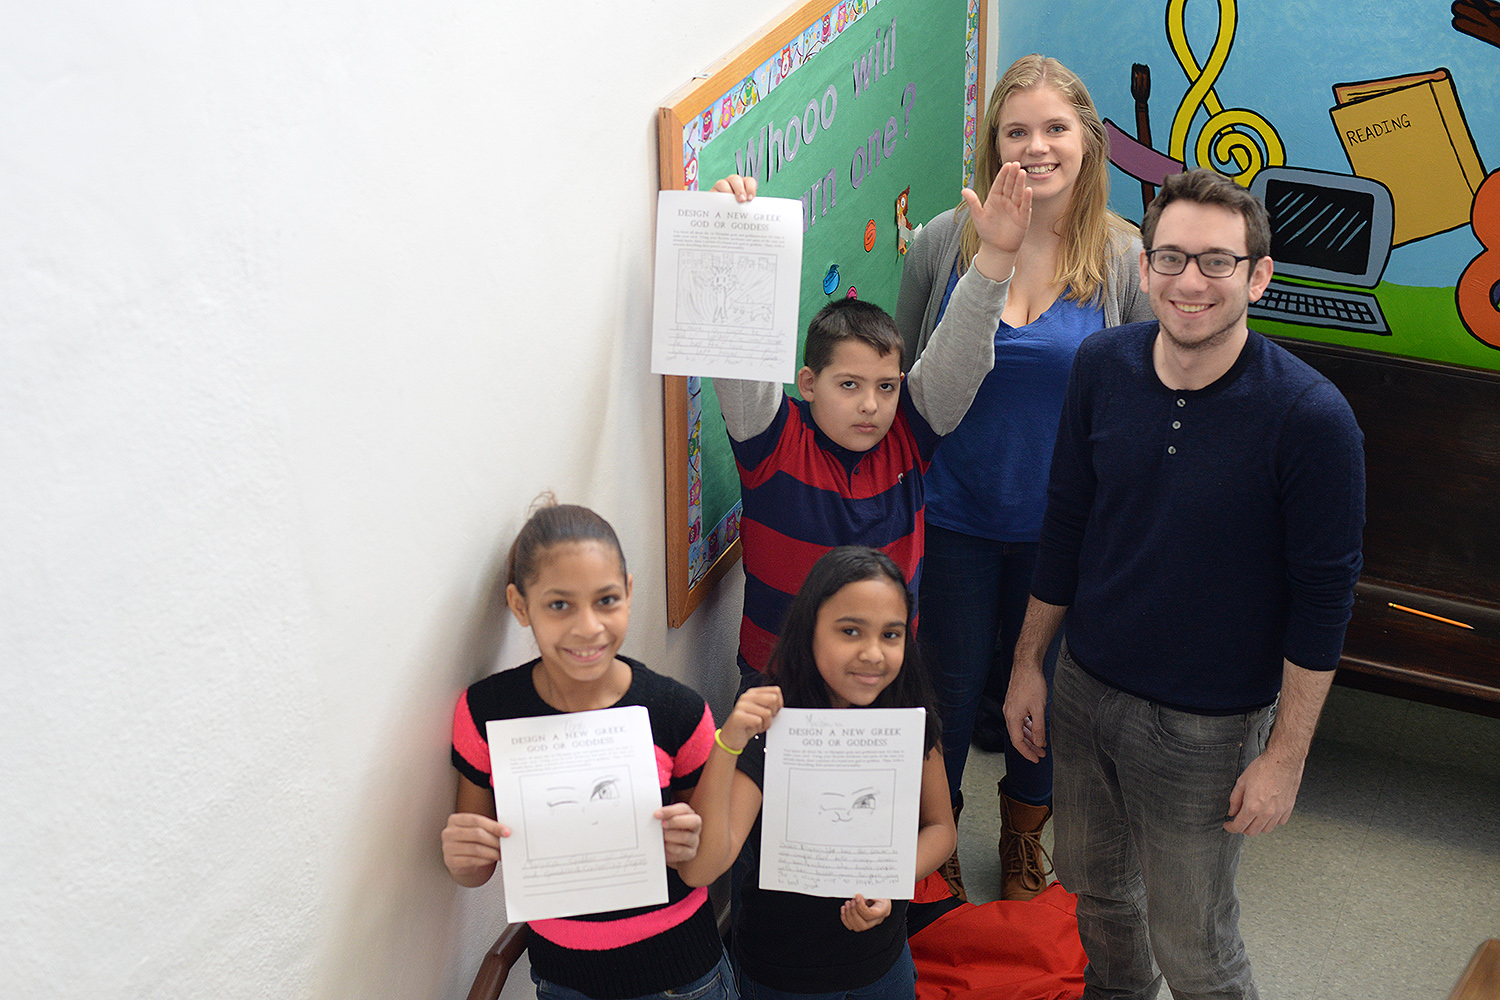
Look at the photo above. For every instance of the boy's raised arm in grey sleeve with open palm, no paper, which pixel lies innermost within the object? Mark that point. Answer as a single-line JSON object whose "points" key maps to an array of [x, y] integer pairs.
{"points": [[962, 350]]}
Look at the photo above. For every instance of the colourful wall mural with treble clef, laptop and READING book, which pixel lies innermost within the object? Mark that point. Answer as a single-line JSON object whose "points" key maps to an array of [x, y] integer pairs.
{"points": [[1372, 131]]}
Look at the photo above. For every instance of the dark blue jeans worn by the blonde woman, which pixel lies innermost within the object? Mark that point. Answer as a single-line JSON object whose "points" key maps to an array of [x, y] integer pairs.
{"points": [[974, 590]]}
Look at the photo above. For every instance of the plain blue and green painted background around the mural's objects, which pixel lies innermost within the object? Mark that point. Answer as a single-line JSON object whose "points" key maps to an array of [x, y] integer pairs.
{"points": [[1285, 61]]}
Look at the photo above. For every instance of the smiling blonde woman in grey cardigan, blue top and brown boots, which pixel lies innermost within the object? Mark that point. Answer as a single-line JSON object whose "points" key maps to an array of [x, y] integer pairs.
{"points": [[1076, 272]]}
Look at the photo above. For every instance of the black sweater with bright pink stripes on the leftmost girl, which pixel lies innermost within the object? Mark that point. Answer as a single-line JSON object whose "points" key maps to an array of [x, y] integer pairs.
{"points": [[623, 953]]}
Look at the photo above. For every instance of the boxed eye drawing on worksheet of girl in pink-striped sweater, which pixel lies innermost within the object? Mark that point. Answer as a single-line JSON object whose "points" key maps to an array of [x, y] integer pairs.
{"points": [[578, 813]]}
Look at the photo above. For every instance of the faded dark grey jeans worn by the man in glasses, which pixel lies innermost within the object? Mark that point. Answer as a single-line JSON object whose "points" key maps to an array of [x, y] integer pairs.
{"points": [[1139, 816]]}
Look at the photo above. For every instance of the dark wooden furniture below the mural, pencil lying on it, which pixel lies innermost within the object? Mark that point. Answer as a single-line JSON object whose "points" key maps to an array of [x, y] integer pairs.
{"points": [[1432, 527]]}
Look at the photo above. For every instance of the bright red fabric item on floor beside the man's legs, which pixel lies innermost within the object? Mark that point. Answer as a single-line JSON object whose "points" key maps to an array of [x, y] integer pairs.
{"points": [[1003, 951]]}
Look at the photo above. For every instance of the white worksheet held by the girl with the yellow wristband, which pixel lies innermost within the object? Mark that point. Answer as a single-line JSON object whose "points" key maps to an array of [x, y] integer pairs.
{"points": [[841, 801]]}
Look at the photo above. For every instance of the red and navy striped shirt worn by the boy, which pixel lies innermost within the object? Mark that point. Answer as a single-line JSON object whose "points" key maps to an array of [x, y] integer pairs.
{"points": [[805, 496]]}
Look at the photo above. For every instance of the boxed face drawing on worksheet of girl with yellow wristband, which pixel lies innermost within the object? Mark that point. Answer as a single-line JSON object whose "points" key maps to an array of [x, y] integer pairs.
{"points": [[841, 809]]}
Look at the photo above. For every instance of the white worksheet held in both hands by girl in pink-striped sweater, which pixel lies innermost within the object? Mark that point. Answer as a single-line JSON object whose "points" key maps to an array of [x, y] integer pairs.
{"points": [[578, 792]]}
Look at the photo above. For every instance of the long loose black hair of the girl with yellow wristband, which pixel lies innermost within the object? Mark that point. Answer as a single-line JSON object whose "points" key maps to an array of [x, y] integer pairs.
{"points": [[793, 665]]}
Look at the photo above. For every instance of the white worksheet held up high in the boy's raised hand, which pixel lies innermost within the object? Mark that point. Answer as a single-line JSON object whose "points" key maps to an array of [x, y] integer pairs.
{"points": [[727, 287]]}
